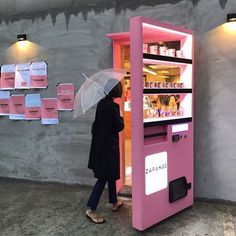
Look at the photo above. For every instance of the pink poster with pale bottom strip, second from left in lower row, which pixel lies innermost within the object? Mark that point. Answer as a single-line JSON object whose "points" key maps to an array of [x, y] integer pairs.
{"points": [[17, 107]]}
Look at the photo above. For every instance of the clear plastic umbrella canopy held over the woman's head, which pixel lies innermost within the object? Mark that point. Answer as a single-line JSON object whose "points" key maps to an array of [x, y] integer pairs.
{"points": [[95, 88]]}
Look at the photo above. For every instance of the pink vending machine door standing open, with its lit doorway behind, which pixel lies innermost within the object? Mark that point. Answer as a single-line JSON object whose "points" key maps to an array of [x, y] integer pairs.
{"points": [[157, 145]]}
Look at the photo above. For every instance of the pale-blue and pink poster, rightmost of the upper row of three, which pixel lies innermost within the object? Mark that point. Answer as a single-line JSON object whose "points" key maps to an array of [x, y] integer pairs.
{"points": [[38, 75]]}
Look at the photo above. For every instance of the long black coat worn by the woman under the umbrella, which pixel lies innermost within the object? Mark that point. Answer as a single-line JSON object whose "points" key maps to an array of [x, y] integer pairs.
{"points": [[104, 158]]}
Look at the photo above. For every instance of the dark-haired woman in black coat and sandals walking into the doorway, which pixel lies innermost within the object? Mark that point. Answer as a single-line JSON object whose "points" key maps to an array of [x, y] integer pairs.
{"points": [[104, 158]]}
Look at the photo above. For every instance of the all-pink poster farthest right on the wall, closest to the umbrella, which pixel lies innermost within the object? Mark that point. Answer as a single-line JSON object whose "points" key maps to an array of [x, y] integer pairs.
{"points": [[65, 96]]}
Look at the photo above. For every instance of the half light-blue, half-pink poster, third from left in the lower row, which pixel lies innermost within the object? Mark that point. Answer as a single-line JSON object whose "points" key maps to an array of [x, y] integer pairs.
{"points": [[32, 107]]}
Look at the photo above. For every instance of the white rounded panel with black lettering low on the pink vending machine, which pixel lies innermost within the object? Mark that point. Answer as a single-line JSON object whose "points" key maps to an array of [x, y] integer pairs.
{"points": [[155, 172]]}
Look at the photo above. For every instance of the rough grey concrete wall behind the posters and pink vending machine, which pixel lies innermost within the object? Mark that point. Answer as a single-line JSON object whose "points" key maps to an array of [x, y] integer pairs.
{"points": [[70, 36]]}
